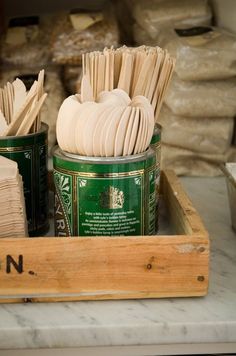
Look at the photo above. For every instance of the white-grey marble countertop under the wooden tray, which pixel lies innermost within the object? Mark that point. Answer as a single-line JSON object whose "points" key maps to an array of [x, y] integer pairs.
{"points": [[211, 319]]}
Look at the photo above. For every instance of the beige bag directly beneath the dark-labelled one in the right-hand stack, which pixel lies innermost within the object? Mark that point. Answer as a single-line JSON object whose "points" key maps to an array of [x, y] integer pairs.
{"points": [[202, 98]]}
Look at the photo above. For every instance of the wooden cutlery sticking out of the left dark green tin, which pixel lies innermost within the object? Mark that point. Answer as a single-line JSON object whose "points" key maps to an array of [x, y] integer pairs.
{"points": [[19, 109]]}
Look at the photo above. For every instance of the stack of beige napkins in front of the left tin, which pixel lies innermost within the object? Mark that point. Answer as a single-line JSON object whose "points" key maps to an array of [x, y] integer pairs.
{"points": [[12, 215]]}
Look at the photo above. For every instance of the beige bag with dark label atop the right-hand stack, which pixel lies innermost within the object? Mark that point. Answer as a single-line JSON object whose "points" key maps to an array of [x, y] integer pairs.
{"points": [[202, 53]]}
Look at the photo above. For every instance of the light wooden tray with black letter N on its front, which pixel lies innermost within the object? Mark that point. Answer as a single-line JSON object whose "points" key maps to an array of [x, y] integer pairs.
{"points": [[92, 268]]}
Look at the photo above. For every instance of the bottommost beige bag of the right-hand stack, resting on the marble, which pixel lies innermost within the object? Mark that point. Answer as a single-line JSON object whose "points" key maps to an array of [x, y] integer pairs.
{"points": [[189, 163]]}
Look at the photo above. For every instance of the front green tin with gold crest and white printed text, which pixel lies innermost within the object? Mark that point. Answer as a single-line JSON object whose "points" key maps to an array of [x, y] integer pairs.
{"points": [[96, 196]]}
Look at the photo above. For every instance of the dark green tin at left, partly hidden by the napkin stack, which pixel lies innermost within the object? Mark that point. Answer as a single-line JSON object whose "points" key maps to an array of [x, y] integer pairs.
{"points": [[30, 152]]}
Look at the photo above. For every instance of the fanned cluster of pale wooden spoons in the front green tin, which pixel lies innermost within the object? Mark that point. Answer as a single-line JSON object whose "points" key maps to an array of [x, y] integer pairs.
{"points": [[115, 125]]}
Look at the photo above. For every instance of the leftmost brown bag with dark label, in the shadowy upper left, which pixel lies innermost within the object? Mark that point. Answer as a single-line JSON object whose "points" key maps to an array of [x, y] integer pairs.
{"points": [[29, 44]]}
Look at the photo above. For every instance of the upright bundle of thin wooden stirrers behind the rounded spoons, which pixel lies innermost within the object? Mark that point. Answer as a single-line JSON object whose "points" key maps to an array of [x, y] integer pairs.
{"points": [[138, 71]]}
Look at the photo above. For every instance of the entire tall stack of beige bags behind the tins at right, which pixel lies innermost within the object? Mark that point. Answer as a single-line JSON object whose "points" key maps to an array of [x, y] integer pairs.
{"points": [[200, 105]]}
